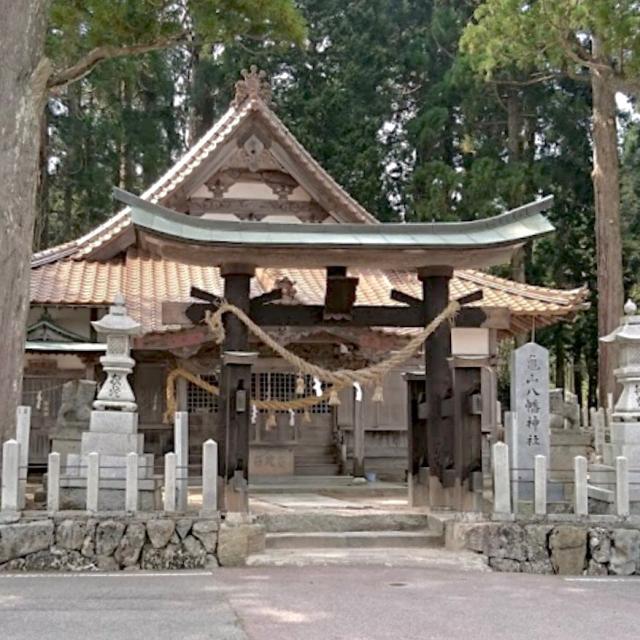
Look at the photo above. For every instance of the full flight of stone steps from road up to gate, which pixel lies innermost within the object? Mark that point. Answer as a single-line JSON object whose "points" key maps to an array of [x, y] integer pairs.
{"points": [[323, 537]]}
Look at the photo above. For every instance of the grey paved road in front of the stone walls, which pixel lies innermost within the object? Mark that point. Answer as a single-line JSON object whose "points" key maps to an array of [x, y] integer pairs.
{"points": [[317, 603]]}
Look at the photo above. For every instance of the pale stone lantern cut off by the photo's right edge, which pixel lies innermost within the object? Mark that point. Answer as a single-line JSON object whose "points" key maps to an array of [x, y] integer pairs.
{"points": [[626, 339]]}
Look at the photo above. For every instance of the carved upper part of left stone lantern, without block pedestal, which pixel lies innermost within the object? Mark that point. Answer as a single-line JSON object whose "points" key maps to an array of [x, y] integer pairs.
{"points": [[118, 328]]}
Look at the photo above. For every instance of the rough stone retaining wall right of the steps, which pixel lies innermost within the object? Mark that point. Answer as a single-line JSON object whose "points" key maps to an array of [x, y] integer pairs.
{"points": [[564, 545]]}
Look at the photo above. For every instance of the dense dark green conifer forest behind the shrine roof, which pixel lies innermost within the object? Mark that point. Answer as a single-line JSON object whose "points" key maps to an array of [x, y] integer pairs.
{"points": [[382, 96]]}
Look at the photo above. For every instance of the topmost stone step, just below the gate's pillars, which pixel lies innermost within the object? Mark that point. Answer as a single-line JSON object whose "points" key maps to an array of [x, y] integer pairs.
{"points": [[329, 521]]}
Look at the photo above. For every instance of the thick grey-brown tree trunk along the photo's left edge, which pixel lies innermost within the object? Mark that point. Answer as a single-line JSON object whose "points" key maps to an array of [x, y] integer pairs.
{"points": [[23, 76]]}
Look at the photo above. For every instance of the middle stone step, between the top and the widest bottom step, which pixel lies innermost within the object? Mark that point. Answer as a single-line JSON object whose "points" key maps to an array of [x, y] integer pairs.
{"points": [[354, 539]]}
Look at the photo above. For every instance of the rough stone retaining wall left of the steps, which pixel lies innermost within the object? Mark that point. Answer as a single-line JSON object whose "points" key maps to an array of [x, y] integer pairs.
{"points": [[79, 542]]}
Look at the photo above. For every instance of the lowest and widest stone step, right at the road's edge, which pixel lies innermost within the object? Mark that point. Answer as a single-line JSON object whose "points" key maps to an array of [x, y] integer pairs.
{"points": [[437, 559]]}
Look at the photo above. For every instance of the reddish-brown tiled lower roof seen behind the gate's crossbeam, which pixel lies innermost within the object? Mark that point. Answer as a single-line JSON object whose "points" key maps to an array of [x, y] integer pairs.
{"points": [[147, 282]]}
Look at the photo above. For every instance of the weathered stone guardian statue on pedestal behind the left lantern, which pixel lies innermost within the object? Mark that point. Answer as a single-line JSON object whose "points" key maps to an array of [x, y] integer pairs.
{"points": [[73, 417]]}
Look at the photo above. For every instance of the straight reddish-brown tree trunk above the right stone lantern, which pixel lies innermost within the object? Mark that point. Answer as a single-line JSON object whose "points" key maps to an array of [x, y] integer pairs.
{"points": [[607, 207]]}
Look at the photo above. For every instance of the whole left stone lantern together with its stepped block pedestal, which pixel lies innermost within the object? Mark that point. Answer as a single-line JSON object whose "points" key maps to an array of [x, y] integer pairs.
{"points": [[113, 426]]}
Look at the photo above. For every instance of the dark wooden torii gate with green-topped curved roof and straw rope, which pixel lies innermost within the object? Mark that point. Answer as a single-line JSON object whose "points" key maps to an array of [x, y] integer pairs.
{"points": [[443, 453]]}
